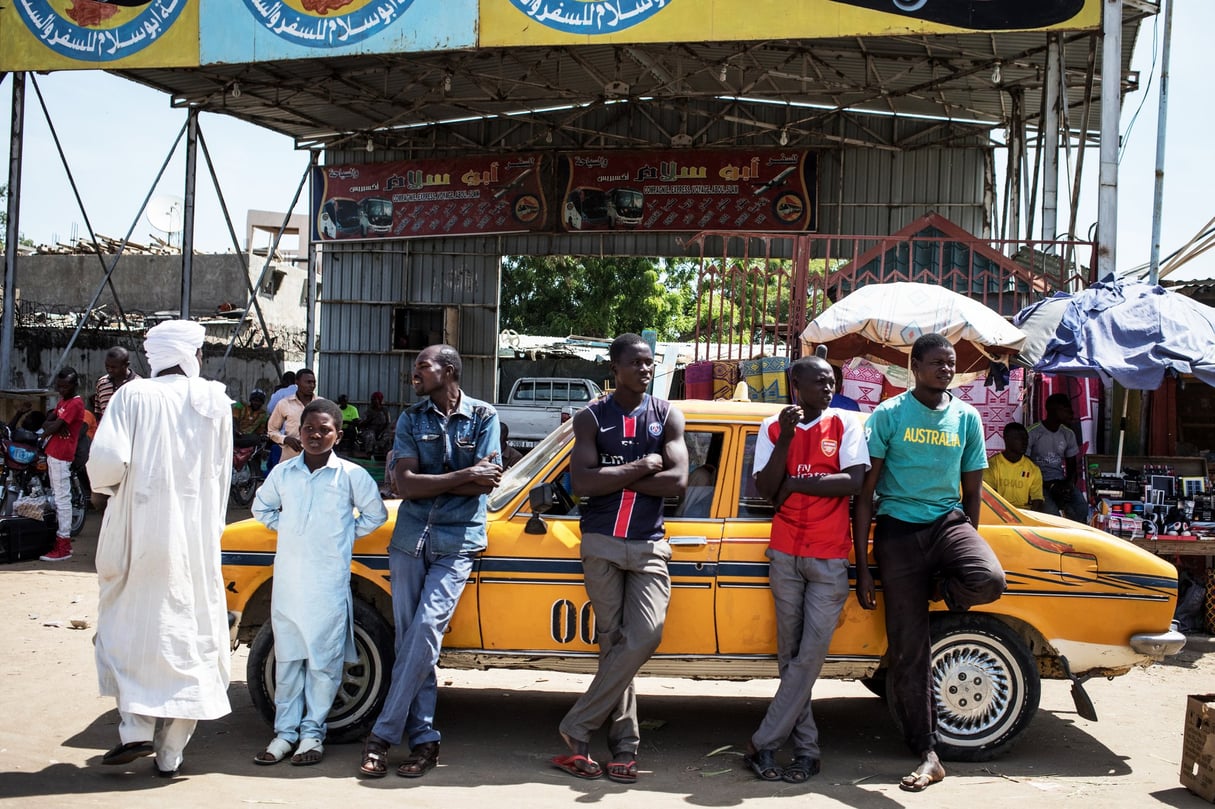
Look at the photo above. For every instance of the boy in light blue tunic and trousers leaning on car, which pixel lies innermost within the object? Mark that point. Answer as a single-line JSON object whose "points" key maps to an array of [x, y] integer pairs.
{"points": [[320, 505]]}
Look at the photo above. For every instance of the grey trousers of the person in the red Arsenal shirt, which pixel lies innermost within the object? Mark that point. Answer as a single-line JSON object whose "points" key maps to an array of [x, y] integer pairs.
{"points": [[810, 595]]}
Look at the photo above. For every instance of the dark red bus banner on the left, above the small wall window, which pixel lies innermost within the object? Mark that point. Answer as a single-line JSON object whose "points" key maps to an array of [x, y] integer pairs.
{"points": [[464, 196]]}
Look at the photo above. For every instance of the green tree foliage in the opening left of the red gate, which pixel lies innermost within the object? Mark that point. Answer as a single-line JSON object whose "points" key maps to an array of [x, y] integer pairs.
{"points": [[596, 297]]}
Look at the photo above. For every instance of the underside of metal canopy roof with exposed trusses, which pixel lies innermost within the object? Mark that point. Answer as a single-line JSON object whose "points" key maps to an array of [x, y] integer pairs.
{"points": [[427, 103]]}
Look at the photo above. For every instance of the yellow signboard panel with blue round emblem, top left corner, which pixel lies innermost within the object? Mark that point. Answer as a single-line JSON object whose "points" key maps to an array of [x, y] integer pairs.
{"points": [[78, 35]]}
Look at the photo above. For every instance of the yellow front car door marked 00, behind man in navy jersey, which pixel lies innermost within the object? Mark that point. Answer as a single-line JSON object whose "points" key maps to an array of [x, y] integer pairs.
{"points": [[530, 586]]}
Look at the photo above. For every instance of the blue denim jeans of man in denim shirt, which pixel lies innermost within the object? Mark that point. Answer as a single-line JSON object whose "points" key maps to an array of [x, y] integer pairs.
{"points": [[426, 591]]}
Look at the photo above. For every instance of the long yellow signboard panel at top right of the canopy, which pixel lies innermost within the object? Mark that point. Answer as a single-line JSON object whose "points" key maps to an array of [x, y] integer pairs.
{"points": [[583, 22]]}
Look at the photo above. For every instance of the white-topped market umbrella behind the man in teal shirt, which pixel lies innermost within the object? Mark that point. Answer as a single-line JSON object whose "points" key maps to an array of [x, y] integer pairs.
{"points": [[880, 323]]}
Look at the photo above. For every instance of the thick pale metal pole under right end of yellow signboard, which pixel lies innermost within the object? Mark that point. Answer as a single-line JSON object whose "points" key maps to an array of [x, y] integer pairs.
{"points": [[1111, 114]]}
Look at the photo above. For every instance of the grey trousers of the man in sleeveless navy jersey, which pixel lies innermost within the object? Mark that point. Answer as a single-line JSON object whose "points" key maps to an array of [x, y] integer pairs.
{"points": [[630, 591]]}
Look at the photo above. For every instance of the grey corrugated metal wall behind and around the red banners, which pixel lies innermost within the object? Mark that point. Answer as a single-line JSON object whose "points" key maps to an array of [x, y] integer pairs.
{"points": [[873, 180]]}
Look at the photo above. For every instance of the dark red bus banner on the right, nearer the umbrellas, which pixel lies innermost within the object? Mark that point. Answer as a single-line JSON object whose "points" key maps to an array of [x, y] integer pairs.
{"points": [[688, 190]]}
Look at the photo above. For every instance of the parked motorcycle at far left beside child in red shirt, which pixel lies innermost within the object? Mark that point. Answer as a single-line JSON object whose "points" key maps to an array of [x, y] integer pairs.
{"points": [[26, 485]]}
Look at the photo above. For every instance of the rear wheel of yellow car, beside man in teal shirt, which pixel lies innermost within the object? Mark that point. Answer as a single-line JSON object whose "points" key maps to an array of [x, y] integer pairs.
{"points": [[986, 687]]}
